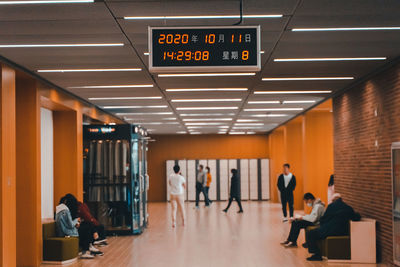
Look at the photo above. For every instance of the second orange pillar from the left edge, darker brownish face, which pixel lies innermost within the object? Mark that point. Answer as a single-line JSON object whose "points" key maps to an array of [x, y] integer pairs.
{"points": [[29, 234]]}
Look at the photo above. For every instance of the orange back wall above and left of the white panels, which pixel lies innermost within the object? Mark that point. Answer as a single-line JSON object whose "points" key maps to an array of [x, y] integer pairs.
{"points": [[167, 147]]}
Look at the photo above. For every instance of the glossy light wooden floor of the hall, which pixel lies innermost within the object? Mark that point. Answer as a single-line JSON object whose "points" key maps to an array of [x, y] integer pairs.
{"points": [[210, 238]]}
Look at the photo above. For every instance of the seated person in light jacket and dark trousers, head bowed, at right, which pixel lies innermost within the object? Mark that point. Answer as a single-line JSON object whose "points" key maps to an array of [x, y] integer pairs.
{"points": [[303, 222]]}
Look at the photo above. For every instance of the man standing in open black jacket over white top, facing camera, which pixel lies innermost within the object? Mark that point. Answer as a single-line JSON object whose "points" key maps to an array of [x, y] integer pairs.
{"points": [[286, 185]]}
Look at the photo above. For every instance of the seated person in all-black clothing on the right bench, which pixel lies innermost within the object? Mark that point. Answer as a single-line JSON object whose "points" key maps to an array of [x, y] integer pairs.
{"points": [[335, 222]]}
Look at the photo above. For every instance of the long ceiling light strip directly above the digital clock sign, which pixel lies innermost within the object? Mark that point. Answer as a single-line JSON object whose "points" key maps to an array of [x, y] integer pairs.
{"points": [[203, 17]]}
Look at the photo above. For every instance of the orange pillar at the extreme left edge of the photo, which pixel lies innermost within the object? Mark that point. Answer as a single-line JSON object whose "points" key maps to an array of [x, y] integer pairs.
{"points": [[7, 168]]}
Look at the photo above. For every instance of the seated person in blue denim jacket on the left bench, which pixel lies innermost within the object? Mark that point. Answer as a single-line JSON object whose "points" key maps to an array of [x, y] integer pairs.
{"points": [[66, 226]]}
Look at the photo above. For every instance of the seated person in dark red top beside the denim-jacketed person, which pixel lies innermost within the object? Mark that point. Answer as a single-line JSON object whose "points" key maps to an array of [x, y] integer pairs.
{"points": [[85, 226]]}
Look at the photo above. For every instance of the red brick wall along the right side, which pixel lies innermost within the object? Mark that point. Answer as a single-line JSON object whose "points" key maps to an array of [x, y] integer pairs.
{"points": [[364, 115]]}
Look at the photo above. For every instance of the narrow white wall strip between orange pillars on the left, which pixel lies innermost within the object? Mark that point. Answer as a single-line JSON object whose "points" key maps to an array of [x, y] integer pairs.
{"points": [[46, 119]]}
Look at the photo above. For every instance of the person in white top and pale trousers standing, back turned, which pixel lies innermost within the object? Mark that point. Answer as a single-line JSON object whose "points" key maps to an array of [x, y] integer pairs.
{"points": [[177, 186]]}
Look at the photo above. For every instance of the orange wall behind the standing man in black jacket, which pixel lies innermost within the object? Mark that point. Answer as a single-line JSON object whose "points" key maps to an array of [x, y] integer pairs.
{"points": [[306, 143]]}
